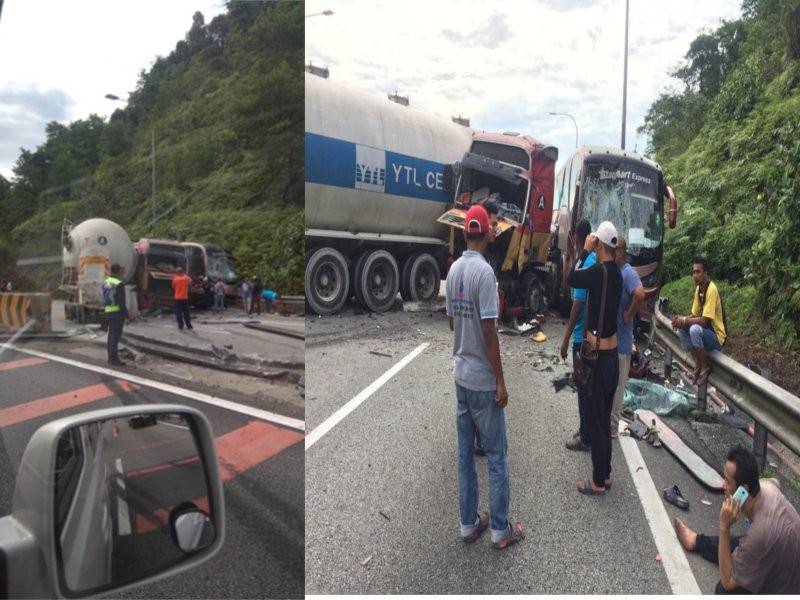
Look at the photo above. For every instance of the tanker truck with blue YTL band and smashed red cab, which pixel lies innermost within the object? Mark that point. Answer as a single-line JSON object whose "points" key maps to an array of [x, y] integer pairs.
{"points": [[379, 177]]}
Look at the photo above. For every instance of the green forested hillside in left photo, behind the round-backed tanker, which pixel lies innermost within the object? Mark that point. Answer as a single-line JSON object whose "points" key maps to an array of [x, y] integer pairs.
{"points": [[226, 112]]}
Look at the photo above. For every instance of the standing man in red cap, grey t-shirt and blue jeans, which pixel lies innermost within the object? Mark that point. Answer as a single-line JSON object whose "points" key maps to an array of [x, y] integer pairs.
{"points": [[480, 387]]}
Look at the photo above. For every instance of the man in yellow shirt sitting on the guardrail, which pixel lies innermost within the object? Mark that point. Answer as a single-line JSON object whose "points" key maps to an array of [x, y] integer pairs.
{"points": [[704, 330]]}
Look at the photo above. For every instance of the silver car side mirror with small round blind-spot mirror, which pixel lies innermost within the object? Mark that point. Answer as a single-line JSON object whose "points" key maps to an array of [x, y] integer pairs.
{"points": [[112, 499]]}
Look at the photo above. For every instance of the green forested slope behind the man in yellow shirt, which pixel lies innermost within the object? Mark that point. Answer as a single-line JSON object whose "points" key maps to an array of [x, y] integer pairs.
{"points": [[729, 143]]}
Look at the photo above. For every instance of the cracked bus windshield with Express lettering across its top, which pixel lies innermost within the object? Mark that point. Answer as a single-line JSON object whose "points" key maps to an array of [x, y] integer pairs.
{"points": [[626, 194]]}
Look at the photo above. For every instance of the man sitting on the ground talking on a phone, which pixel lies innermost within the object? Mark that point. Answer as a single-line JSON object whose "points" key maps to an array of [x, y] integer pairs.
{"points": [[765, 559]]}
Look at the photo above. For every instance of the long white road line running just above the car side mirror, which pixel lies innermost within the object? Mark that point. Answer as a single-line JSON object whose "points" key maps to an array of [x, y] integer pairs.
{"points": [[264, 415]]}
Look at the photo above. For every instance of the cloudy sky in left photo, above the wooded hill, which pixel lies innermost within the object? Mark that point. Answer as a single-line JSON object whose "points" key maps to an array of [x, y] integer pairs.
{"points": [[60, 58]]}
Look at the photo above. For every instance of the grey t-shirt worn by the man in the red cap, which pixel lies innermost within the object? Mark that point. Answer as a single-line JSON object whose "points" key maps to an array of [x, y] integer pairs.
{"points": [[471, 297]]}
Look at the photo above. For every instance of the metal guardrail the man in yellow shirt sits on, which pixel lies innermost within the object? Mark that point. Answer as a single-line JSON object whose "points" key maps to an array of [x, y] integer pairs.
{"points": [[774, 410]]}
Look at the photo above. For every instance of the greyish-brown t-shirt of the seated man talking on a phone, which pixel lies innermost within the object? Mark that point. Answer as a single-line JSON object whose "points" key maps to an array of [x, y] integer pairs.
{"points": [[767, 560]]}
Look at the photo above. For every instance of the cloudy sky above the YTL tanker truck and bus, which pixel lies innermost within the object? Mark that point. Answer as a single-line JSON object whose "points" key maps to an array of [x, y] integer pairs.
{"points": [[508, 64]]}
